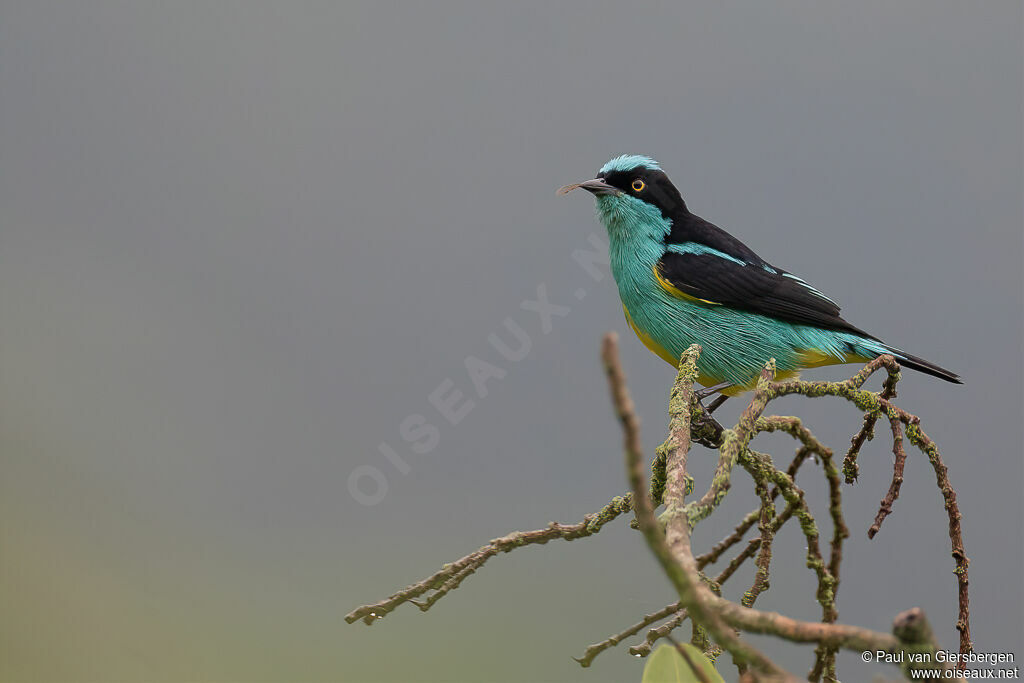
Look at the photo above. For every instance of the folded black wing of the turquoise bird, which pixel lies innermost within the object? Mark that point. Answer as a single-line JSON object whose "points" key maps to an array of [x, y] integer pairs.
{"points": [[757, 288]]}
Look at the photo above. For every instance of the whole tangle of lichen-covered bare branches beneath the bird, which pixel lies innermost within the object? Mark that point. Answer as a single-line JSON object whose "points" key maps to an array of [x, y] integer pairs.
{"points": [[718, 622]]}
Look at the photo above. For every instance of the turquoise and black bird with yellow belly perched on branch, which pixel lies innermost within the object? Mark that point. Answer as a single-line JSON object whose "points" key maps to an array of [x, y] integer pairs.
{"points": [[684, 281]]}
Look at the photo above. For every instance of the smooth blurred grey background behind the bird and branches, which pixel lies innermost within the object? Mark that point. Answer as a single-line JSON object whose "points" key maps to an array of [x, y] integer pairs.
{"points": [[242, 242]]}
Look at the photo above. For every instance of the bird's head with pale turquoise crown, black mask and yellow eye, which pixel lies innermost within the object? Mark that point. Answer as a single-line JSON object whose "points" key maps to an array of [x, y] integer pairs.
{"points": [[633, 193]]}
